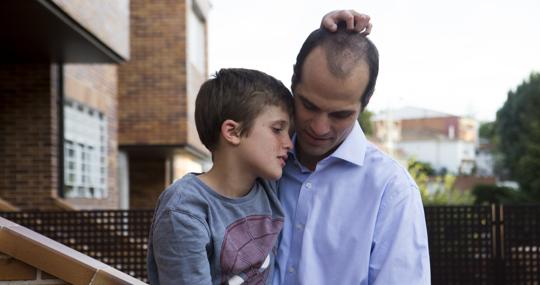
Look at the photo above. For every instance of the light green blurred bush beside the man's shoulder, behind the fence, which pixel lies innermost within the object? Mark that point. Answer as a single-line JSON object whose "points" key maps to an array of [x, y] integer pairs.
{"points": [[437, 190]]}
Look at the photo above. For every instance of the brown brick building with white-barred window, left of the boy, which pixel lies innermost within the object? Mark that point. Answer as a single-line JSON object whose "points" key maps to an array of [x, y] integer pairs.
{"points": [[96, 101]]}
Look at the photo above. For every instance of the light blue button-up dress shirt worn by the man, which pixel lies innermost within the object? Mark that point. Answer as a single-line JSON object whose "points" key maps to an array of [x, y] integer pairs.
{"points": [[357, 219]]}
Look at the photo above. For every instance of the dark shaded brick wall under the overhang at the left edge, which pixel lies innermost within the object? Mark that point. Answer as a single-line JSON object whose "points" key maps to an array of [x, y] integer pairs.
{"points": [[28, 135]]}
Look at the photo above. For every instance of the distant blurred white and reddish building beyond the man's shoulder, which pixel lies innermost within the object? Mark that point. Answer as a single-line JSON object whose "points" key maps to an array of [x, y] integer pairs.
{"points": [[445, 141]]}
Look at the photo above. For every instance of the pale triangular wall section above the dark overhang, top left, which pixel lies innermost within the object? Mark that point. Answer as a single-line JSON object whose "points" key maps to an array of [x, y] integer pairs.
{"points": [[107, 20]]}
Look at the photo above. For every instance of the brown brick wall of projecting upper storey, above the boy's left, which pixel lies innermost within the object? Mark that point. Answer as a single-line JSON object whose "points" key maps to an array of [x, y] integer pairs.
{"points": [[152, 85]]}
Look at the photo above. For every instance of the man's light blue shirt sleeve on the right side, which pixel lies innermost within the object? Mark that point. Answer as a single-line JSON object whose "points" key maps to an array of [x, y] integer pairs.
{"points": [[400, 245]]}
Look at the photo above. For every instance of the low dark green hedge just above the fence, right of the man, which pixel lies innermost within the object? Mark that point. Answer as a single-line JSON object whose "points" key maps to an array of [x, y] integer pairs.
{"points": [[491, 194]]}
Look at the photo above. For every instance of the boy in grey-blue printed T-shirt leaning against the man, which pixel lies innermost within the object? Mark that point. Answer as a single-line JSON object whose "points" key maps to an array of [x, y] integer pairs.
{"points": [[221, 227]]}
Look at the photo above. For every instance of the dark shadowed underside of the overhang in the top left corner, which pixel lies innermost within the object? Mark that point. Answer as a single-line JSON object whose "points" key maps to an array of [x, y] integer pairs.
{"points": [[39, 31]]}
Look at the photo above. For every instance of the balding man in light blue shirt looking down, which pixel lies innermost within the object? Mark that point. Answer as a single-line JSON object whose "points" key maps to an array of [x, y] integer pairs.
{"points": [[353, 214]]}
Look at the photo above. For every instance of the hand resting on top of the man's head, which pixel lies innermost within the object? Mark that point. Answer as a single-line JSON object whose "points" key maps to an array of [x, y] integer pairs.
{"points": [[355, 21]]}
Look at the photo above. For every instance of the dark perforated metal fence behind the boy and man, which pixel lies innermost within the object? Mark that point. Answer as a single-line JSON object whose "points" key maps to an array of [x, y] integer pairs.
{"points": [[468, 244]]}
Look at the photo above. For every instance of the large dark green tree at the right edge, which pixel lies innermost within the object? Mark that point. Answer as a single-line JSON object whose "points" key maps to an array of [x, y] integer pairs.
{"points": [[517, 130]]}
